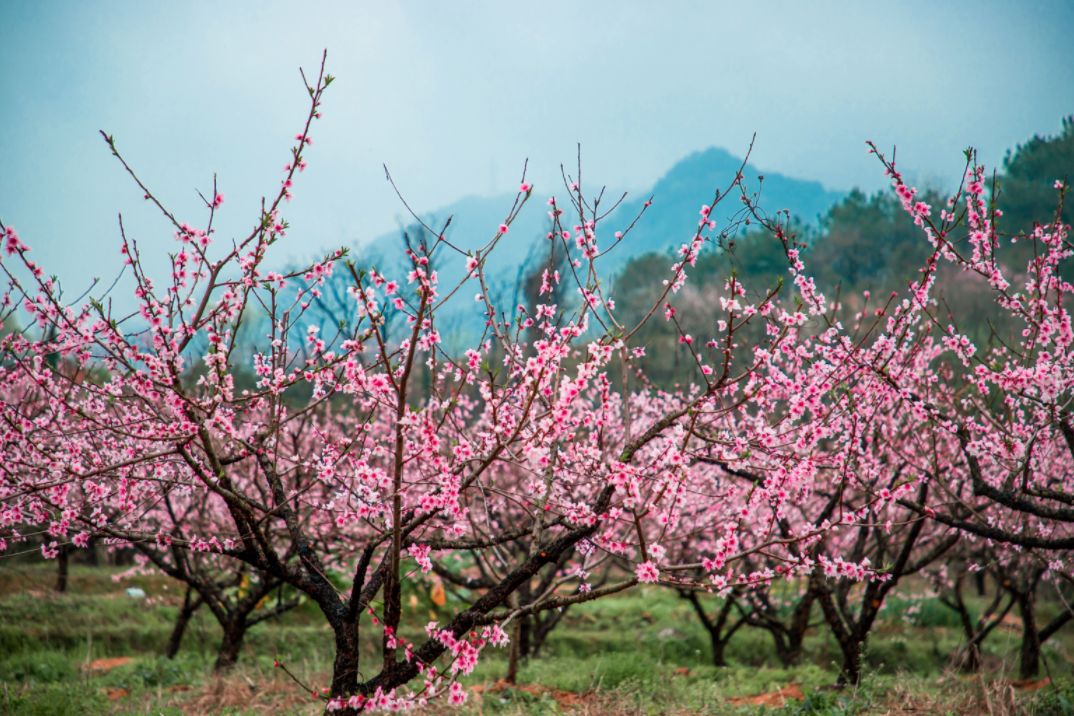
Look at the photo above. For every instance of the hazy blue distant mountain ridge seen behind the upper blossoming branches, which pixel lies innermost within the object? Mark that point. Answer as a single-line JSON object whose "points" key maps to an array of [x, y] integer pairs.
{"points": [[670, 223]]}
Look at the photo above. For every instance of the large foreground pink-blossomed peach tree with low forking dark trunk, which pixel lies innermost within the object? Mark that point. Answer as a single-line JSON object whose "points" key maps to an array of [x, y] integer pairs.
{"points": [[337, 474]]}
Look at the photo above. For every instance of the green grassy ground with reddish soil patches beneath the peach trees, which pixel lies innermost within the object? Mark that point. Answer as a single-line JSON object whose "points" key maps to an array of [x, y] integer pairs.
{"points": [[642, 653]]}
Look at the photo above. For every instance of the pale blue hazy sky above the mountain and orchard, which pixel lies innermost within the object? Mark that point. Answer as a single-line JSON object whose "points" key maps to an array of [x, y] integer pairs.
{"points": [[454, 97]]}
